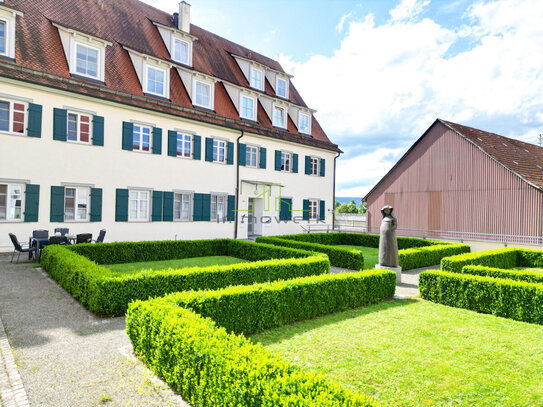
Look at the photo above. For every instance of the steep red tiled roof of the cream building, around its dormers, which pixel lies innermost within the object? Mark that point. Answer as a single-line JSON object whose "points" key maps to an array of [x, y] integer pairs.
{"points": [[130, 23]]}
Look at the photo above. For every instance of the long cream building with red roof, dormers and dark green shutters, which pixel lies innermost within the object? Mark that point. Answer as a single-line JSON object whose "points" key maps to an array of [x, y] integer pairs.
{"points": [[118, 116]]}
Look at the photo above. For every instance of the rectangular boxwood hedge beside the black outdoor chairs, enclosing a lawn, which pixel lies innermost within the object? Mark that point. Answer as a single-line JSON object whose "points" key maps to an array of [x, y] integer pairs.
{"points": [[106, 292]]}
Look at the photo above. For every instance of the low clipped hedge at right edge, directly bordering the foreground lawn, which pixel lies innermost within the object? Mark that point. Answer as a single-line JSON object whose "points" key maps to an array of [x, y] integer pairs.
{"points": [[517, 300]]}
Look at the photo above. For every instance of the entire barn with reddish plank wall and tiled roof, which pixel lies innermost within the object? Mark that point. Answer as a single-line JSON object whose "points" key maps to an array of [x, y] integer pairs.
{"points": [[461, 183]]}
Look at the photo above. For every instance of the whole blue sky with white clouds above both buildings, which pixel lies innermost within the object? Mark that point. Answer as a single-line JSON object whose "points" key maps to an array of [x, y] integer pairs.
{"points": [[379, 72]]}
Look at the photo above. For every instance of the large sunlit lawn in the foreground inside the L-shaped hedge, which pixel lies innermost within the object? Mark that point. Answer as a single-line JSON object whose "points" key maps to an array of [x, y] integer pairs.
{"points": [[417, 353]]}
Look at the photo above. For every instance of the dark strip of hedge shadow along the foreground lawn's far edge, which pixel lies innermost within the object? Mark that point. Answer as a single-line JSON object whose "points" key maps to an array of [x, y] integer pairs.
{"points": [[288, 331]]}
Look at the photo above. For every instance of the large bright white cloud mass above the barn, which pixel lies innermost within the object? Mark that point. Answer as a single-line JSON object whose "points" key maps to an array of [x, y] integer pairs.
{"points": [[387, 83]]}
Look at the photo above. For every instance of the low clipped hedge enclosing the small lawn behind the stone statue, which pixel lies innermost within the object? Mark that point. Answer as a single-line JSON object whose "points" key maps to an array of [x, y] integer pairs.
{"points": [[413, 253]]}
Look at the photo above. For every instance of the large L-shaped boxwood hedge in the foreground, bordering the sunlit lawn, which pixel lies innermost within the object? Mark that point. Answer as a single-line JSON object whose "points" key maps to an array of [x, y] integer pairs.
{"points": [[211, 367]]}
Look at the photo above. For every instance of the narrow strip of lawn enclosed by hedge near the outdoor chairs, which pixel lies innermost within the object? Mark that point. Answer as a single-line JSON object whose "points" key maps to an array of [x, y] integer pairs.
{"points": [[175, 264]]}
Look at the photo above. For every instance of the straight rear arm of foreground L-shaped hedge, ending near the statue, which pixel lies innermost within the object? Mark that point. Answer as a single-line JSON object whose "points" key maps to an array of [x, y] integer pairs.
{"points": [[254, 308]]}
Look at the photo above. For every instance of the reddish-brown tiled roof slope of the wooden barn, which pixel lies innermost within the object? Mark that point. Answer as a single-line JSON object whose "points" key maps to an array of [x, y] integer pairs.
{"points": [[524, 159]]}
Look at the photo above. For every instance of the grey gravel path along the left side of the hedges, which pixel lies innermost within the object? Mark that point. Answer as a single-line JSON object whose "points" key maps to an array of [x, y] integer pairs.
{"points": [[65, 355]]}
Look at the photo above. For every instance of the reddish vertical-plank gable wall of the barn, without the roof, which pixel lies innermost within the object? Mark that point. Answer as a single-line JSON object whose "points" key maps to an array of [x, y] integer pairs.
{"points": [[448, 184]]}
